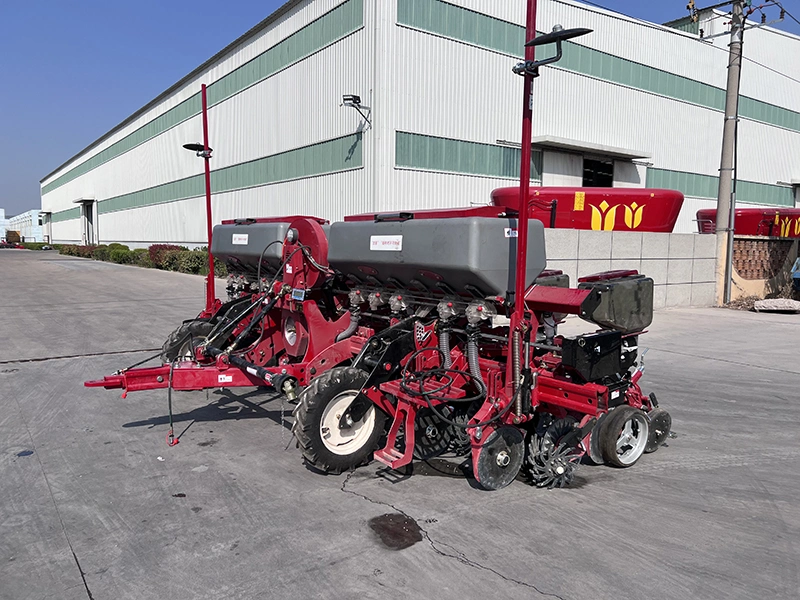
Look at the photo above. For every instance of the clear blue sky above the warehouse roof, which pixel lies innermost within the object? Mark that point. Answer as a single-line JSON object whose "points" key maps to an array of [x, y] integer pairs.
{"points": [[70, 71]]}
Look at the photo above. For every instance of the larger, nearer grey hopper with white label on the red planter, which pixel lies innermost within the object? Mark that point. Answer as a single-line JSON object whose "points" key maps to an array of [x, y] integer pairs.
{"points": [[477, 252]]}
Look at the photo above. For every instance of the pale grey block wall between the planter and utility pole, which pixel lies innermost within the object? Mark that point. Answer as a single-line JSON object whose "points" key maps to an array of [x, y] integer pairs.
{"points": [[682, 265]]}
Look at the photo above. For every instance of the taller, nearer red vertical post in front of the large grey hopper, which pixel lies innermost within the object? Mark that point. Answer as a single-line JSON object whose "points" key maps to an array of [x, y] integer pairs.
{"points": [[524, 172]]}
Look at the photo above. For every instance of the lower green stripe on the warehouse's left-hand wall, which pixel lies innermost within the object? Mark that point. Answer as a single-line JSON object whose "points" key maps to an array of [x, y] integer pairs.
{"points": [[332, 156]]}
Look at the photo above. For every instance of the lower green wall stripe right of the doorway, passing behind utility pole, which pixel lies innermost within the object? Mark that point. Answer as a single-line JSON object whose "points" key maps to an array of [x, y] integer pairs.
{"points": [[706, 186]]}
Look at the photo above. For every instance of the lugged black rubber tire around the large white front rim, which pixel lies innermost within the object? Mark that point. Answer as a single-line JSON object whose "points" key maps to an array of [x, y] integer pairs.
{"points": [[308, 417]]}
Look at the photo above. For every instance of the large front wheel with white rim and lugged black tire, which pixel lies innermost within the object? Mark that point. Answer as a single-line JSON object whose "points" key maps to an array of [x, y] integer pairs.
{"points": [[328, 442]]}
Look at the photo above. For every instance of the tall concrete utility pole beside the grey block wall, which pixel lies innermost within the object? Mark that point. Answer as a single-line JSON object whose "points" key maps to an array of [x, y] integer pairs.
{"points": [[726, 198]]}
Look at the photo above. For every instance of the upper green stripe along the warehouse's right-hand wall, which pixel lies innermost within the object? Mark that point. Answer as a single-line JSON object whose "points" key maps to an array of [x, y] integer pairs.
{"points": [[481, 30]]}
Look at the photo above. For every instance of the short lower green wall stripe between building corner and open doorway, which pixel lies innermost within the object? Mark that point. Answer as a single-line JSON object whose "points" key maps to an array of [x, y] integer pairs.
{"points": [[416, 151]]}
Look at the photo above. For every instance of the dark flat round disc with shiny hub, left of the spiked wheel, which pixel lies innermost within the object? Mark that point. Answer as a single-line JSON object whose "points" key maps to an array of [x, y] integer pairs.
{"points": [[500, 458]]}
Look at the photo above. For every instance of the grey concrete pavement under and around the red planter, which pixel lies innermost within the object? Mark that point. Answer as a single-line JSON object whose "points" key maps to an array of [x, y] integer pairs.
{"points": [[87, 509]]}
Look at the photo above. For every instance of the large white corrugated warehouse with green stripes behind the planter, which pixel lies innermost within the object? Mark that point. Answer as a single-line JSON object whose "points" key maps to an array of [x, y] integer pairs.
{"points": [[436, 121]]}
